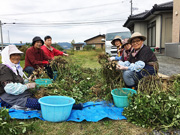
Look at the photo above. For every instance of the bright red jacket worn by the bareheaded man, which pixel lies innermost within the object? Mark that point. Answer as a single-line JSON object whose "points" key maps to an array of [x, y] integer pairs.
{"points": [[52, 53]]}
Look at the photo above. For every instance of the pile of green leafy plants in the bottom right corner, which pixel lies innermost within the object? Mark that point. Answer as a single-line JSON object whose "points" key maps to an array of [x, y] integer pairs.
{"points": [[158, 110]]}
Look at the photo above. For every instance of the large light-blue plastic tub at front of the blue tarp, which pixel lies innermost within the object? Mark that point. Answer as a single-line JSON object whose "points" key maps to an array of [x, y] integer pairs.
{"points": [[56, 108]]}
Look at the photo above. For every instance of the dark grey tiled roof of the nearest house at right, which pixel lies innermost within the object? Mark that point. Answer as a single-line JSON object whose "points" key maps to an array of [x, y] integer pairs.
{"points": [[142, 16]]}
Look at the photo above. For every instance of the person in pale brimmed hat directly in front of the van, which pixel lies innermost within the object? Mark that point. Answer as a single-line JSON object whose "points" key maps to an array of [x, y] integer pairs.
{"points": [[117, 41]]}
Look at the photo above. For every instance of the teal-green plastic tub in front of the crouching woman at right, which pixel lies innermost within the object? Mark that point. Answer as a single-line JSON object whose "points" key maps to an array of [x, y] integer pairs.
{"points": [[120, 96]]}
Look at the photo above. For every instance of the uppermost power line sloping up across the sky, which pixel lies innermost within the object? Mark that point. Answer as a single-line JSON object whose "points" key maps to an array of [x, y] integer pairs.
{"points": [[63, 10]]}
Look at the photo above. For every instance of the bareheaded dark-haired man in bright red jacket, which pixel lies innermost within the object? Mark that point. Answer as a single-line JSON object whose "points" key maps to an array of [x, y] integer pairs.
{"points": [[49, 50]]}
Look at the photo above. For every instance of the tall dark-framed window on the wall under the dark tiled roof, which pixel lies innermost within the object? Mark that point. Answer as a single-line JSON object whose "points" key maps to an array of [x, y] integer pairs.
{"points": [[152, 34]]}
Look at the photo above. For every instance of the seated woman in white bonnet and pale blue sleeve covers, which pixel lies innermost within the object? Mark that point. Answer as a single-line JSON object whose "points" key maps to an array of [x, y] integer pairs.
{"points": [[13, 91]]}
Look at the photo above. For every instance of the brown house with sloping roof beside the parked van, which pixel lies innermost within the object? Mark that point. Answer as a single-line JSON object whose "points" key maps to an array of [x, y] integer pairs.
{"points": [[97, 41]]}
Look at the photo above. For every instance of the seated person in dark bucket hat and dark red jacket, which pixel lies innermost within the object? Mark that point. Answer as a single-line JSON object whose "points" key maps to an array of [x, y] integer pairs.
{"points": [[35, 56]]}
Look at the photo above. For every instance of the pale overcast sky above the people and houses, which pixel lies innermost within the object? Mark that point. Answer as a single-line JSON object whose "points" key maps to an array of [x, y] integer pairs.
{"points": [[65, 20]]}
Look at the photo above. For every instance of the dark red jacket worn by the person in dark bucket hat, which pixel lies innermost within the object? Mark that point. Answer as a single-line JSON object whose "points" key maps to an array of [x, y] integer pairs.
{"points": [[35, 57]]}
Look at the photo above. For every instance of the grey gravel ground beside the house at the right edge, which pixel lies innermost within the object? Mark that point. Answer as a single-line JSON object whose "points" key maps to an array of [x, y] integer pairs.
{"points": [[168, 65]]}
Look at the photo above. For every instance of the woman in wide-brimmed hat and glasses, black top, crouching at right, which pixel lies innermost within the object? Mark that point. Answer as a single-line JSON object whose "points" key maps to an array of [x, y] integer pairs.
{"points": [[142, 61]]}
